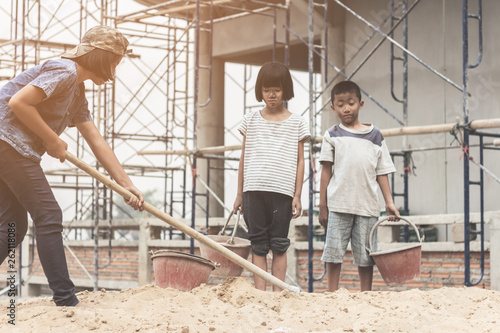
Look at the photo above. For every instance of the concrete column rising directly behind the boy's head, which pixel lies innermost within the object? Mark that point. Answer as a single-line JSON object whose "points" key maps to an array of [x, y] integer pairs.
{"points": [[335, 46]]}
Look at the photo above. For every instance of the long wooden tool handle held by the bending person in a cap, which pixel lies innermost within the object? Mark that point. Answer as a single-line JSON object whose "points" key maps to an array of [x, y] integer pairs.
{"points": [[182, 227]]}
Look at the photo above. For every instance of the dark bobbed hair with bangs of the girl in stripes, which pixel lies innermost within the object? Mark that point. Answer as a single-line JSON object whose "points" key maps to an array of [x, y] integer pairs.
{"points": [[274, 74]]}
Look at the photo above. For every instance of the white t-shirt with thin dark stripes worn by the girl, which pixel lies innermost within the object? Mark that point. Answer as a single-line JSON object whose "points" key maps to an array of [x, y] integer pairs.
{"points": [[271, 152]]}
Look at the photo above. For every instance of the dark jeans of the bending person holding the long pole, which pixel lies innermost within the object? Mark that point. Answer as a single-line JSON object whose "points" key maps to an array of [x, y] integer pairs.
{"points": [[24, 188]]}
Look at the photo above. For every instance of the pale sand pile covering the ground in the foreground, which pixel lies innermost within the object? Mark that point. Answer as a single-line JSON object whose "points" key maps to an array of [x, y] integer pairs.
{"points": [[235, 306]]}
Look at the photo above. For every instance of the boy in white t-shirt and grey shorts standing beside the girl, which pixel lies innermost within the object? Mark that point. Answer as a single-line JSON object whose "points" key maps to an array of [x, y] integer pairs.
{"points": [[355, 162]]}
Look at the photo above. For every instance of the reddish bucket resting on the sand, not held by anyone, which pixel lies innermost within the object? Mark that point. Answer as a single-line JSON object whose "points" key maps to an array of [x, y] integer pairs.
{"points": [[179, 270]]}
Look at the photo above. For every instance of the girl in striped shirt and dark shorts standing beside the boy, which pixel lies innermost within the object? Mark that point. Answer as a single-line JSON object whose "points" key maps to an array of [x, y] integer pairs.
{"points": [[271, 170]]}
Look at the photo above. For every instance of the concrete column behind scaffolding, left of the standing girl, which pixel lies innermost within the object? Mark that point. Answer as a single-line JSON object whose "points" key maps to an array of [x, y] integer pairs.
{"points": [[210, 123]]}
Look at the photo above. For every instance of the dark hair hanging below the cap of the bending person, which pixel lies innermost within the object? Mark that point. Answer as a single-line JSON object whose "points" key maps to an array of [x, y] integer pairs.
{"points": [[100, 62]]}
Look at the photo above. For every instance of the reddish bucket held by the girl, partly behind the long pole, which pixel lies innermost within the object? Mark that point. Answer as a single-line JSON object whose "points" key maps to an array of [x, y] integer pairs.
{"points": [[227, 268]]}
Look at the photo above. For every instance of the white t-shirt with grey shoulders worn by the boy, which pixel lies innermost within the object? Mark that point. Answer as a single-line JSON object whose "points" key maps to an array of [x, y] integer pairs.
{"points": [[358, 157]]}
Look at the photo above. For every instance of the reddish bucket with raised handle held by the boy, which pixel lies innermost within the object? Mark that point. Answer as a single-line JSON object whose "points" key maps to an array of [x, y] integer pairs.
{"points": [[398, 266]]}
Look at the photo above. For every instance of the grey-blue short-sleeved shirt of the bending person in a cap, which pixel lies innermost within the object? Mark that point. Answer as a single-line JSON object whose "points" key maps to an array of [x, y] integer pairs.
{"points": [[65, 105]]}
